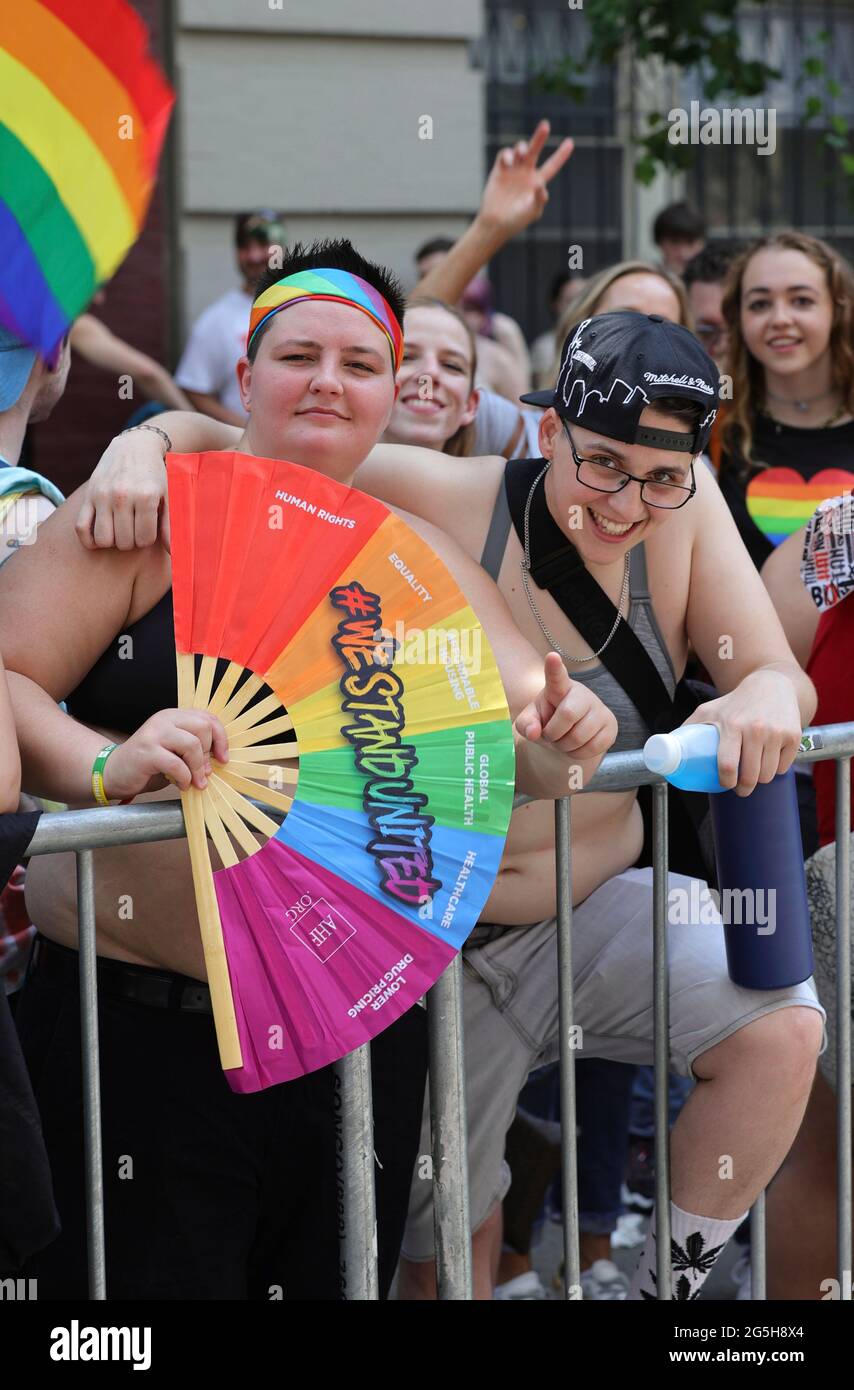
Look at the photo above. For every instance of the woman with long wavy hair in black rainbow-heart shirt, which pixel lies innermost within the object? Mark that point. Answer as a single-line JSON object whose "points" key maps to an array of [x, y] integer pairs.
{"points": [[788, 432]]}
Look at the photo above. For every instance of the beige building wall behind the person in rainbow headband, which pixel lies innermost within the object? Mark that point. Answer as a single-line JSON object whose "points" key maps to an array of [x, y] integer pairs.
{"points": [[353, 117]]}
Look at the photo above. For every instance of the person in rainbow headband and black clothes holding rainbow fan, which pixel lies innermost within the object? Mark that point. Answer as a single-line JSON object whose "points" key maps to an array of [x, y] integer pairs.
{"points": [[233, 1196]]}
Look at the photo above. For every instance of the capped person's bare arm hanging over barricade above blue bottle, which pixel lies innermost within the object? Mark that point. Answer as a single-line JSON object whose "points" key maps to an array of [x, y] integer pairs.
{"points": [[767, 700]]}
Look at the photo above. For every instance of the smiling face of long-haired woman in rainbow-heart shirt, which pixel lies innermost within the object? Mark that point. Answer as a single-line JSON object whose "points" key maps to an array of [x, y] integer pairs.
{"points": [[787, 311]]}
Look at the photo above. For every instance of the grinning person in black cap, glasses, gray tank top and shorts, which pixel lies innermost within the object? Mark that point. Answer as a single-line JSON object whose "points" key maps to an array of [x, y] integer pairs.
{"points": [[614, 541]]}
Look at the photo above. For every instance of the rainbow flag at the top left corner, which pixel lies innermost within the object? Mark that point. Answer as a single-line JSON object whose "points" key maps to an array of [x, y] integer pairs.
{"points": [[84, 111]]}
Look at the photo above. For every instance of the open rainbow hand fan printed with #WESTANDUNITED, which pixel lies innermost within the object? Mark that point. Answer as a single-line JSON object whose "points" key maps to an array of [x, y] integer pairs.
{"points": [[318, 626]]}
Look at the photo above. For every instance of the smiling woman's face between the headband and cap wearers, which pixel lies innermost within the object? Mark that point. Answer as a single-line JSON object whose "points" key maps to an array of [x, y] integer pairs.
{"points": [[436, 395]]}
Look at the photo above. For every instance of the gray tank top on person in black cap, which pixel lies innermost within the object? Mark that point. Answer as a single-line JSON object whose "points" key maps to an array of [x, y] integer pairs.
{"points": [[632, 732]]}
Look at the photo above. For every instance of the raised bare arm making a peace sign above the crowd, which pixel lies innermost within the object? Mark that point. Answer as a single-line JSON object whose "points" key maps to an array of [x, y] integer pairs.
{"points": [[514, 197]]}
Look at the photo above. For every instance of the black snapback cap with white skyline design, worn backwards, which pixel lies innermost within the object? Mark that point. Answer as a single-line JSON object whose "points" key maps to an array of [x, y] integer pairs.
{"points": [[614, 366]]}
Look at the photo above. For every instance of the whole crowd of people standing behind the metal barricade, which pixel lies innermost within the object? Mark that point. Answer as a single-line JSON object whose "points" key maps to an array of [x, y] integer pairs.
{"points": [[656, 473]]}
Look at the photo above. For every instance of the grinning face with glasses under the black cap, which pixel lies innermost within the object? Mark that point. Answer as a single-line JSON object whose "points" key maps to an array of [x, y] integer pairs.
{"points": [[611, 522]]}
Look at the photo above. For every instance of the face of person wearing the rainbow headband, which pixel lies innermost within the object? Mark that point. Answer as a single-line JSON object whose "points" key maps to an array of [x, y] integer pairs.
{"points": [[321, 390]]}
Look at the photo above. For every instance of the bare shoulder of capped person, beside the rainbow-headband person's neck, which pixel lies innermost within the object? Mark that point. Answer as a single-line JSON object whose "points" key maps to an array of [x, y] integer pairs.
{"points": [[454, 494]]}
